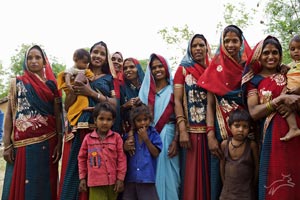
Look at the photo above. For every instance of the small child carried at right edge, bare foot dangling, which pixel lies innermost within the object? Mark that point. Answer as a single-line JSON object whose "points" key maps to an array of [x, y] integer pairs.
{"points": [[293, 85]]}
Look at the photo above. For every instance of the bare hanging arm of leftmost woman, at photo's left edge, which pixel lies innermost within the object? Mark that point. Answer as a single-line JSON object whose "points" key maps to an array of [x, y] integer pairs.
{"points": [[8, 128]]}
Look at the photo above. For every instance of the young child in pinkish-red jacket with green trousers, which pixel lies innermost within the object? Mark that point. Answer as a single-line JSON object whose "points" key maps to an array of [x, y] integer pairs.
{"points": [[101, 159]]}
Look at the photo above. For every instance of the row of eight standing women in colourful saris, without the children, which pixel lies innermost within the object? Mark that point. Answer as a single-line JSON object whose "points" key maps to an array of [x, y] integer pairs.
{"points": [[190, 113]]}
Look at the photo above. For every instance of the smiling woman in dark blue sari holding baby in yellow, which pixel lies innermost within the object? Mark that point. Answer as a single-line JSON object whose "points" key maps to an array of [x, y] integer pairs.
{"points": [[103, 88]]}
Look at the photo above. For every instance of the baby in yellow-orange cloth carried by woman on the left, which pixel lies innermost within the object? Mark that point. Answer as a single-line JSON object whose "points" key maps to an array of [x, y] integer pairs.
{"points": [[78, 73]]}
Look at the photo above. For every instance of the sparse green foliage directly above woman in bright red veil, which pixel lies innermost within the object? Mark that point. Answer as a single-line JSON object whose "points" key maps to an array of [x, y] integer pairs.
{"points": [[239, 15]]}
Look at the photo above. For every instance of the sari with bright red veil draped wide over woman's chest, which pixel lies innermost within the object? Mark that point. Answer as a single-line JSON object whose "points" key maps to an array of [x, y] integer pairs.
{"points": [[223, 79]]}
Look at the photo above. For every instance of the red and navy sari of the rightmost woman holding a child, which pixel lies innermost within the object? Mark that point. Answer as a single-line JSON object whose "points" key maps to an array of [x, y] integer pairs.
{"points": [[278, 169]]}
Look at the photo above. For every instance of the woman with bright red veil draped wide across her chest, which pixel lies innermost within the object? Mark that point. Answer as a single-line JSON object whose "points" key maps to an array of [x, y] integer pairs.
{"points": [[222, 80]]}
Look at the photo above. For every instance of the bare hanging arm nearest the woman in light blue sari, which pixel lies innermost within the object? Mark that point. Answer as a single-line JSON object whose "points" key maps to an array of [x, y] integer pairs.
{"points": [[184, 138]]}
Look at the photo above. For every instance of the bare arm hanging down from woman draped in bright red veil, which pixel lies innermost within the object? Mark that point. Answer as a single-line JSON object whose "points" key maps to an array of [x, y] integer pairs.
{"points": [[213, 143]]}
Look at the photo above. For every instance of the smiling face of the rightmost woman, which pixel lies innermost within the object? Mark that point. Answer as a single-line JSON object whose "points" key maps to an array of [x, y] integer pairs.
{"points": [[270, 57]]}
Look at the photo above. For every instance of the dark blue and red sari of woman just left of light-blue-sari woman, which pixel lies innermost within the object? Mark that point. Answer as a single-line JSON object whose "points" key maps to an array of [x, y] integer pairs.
{"points": [[129, 91]]}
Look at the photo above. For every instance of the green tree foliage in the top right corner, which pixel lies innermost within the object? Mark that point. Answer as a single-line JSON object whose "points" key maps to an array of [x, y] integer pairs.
{"points": [[283, 22]]}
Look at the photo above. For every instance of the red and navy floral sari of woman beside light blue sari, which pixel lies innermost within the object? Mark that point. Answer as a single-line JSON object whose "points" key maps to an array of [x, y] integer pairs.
{"points": [[194, 161]]}
